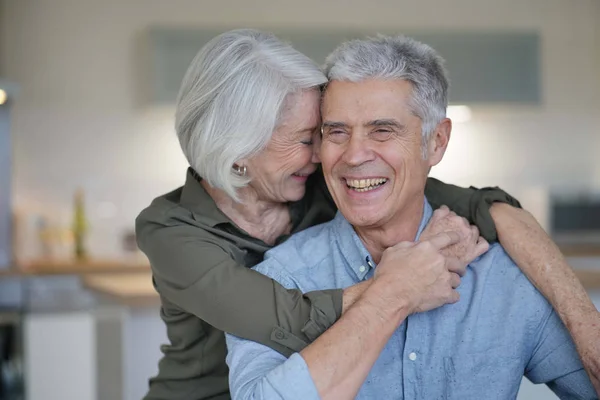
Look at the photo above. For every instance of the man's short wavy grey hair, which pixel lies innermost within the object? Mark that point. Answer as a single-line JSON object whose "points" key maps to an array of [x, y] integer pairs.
{"points": [[397, 57]]}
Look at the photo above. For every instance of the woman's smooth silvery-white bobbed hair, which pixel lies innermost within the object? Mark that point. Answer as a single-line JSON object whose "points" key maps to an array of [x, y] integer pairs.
{"points": [[232, 99]]}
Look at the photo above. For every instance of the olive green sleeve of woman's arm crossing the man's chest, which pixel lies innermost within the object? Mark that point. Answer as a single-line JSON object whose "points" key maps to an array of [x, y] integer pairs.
{"points": [[194, 272]]}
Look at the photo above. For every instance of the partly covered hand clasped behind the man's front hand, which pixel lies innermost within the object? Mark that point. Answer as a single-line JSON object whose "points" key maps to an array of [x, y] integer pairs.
{"points": [[469, 248]]}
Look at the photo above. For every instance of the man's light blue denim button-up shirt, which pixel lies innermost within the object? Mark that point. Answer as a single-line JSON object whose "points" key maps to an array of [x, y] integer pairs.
{"points": [[478, 348]]}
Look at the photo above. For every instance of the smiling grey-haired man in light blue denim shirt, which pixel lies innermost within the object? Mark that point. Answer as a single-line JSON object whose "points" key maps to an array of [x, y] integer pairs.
{"points": [[384, 127]]}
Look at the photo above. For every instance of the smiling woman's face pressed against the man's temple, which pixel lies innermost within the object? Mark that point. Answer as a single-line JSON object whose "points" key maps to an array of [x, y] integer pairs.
{"points": [[279, 172]]}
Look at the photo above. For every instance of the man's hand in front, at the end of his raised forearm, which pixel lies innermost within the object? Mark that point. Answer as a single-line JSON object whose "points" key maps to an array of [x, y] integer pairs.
{"points": [[417, 275]]}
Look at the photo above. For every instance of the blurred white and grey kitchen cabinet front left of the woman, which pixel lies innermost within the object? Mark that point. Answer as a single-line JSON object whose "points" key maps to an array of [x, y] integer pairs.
{"points": [[108, 353]]}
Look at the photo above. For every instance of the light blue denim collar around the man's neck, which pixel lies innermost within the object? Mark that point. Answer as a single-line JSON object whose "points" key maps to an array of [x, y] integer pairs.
{"points": [[353, 249]]}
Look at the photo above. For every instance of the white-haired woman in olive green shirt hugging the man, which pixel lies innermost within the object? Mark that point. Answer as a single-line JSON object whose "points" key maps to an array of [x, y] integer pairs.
{"points": [[247, 114]]}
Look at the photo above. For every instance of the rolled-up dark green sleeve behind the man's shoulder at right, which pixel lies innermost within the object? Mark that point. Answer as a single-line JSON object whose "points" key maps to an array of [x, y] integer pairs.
{"points": [[471, 203]]}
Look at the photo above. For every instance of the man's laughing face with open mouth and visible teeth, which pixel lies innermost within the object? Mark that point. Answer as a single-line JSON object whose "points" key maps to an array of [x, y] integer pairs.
{"points": [[371, 150]]}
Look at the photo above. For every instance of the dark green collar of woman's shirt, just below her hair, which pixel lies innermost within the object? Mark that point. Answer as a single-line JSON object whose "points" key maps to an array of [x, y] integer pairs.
{"points": [[195, 198]]}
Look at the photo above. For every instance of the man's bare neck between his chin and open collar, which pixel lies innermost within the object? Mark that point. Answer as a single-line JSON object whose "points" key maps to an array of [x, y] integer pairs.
{"points": [[402, 228]]}
